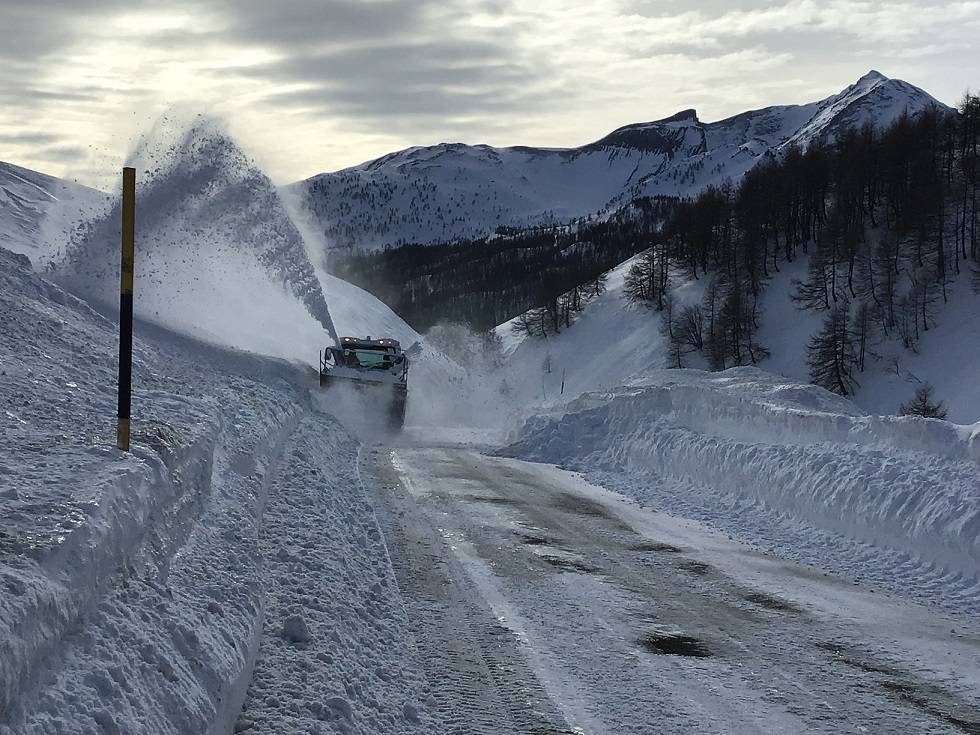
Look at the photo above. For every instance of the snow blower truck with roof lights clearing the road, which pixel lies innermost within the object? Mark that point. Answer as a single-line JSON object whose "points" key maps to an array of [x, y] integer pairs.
{"points": [[376, 368]]}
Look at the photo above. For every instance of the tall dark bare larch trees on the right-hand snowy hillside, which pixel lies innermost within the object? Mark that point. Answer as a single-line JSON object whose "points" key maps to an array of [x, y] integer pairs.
{"points": [[887, 218]]}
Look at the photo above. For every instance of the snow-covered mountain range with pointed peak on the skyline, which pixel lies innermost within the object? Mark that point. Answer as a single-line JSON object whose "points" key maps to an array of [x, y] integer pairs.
{"points": [[452, 190]]}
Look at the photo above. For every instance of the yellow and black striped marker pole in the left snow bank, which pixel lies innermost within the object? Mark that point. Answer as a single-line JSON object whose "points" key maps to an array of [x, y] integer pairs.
{"points": [[126, 309]]}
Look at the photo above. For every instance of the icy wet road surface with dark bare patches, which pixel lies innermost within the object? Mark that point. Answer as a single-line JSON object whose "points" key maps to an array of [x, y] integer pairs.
{"points": [[543, 604]]}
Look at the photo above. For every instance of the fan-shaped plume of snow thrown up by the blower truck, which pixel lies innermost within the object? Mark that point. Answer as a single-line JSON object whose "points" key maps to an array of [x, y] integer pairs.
{"points": [[218, 257]]}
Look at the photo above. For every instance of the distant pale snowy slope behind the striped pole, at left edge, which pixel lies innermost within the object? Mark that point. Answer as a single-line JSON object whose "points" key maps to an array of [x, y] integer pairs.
{"points": [[37, 211]]}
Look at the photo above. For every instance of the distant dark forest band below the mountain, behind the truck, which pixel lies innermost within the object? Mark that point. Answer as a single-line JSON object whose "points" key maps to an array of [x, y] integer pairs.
{"points": [[487, 281]]}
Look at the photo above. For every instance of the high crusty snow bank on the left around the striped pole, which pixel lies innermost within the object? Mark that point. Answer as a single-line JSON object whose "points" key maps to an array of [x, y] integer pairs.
{"points": [[107, 616]]}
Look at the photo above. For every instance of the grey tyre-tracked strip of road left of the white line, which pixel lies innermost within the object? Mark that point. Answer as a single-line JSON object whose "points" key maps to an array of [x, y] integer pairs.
{"points": [[479, 681]]}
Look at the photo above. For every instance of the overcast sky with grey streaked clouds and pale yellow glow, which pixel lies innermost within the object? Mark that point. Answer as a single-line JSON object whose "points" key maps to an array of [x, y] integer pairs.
{"points": [[316, 85]]}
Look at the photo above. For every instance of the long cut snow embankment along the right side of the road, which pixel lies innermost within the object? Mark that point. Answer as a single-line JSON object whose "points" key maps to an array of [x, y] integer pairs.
{"points": [[792, 467]]}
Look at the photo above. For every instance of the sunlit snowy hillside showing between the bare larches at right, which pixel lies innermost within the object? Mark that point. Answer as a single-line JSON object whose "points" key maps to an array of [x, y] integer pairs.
{"points": [[612, 341]]}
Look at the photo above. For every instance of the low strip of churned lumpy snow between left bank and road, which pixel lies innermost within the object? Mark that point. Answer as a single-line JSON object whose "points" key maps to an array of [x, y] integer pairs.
{"points": [[335, 654]]}
